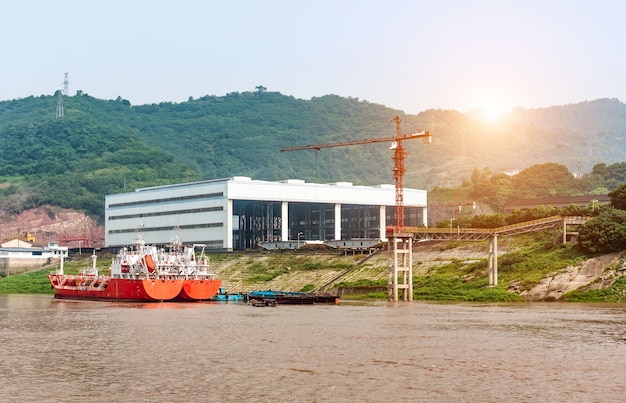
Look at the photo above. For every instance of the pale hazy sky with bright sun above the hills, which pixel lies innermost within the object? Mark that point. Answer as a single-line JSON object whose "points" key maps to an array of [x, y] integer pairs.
{"points": [[410, 55]]}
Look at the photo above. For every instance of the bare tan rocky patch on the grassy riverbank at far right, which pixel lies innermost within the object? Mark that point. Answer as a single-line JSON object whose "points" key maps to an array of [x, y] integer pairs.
{"points": [[595, 273]]}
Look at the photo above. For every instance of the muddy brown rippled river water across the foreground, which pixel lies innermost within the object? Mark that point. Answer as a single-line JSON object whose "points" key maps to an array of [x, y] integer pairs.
{"points": [[87, 351]]}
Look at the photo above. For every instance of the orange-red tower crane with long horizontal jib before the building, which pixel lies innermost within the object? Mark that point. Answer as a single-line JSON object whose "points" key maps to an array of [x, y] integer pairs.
{"points": [[398, 158]]}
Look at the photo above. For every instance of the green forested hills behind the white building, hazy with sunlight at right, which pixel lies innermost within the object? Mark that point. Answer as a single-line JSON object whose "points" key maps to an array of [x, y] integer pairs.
{"points": [[103, 147]]}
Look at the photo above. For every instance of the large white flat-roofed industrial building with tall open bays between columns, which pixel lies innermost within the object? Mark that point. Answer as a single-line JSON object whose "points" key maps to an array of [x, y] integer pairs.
{"points": [[239, 212]]}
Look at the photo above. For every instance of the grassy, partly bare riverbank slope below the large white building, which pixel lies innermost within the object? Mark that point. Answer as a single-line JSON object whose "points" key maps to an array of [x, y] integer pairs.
{"points": [[530, 268]]}
